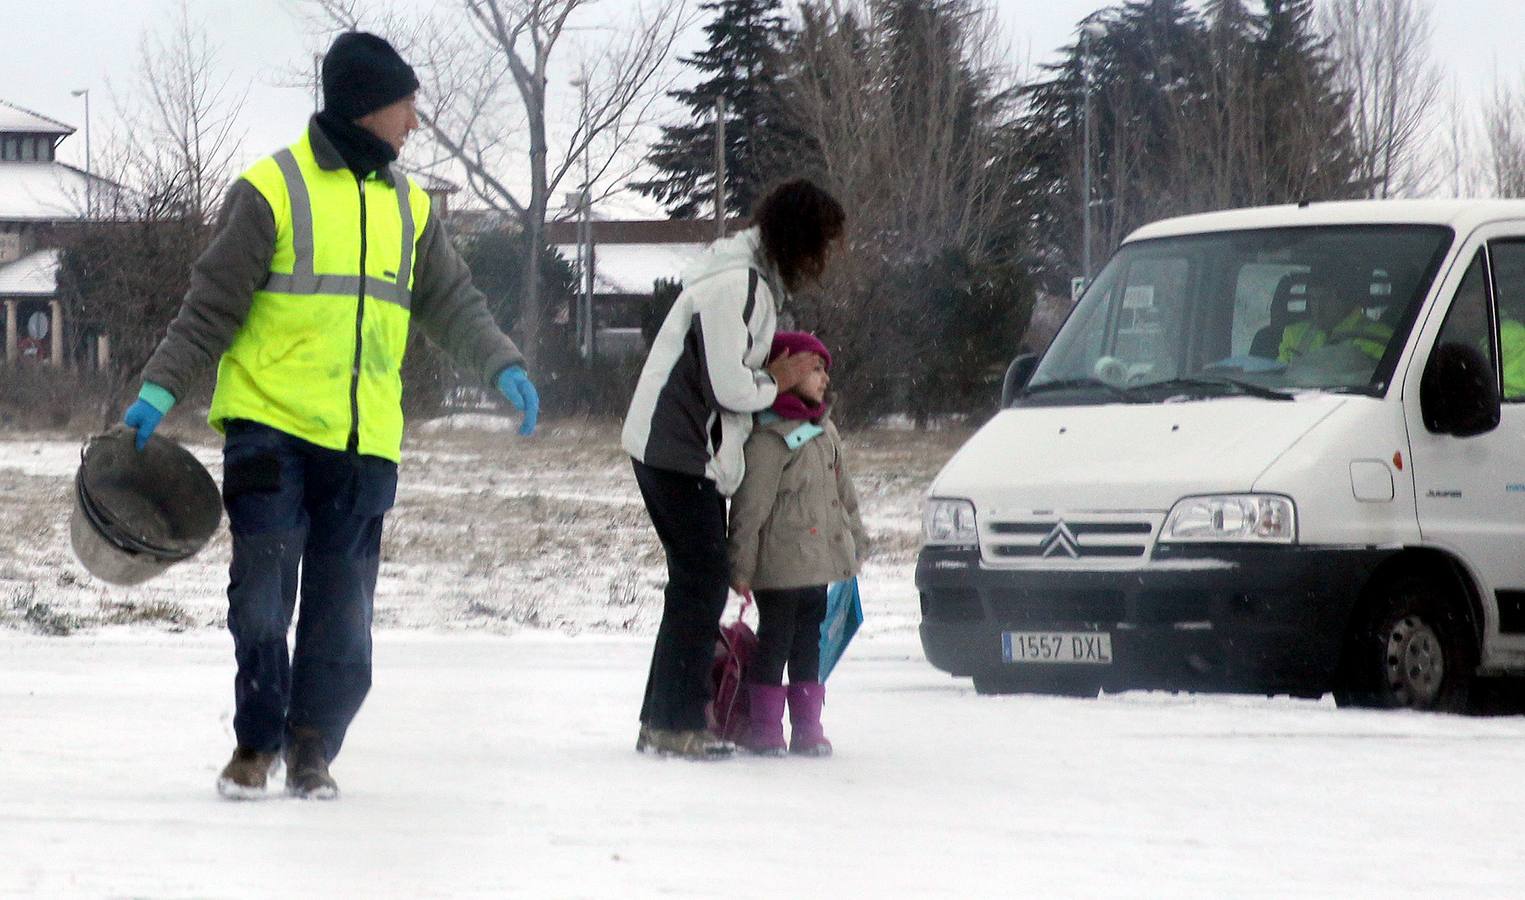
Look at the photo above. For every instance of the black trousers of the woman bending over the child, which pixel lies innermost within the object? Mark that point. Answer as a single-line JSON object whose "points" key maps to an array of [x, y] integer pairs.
{"points": [[690, 518]]}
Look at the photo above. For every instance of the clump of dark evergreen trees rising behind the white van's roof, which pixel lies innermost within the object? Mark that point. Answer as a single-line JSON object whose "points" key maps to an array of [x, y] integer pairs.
{"points": [[1195, 108]]}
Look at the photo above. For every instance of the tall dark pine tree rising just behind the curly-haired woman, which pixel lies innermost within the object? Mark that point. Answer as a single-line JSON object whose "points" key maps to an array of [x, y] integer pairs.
{"points": [[743, 66]]}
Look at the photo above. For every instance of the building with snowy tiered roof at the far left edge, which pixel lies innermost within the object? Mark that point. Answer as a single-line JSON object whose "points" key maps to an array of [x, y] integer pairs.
{"points": [[40, 198]]}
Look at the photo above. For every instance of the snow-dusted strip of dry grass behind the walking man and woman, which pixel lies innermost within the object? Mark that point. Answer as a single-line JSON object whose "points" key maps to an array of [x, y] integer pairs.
{"points": [[490, 533]]}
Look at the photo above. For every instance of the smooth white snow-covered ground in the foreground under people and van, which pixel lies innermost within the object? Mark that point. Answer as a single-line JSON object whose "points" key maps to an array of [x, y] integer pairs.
{"points": [[502, 767]]}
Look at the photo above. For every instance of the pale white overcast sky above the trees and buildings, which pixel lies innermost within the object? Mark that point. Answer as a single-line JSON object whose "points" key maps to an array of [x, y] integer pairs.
{"points": [[54, 47]]}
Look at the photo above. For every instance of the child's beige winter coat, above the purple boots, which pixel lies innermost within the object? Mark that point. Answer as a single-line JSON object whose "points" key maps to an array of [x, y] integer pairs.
{"points": [[795, 519]]}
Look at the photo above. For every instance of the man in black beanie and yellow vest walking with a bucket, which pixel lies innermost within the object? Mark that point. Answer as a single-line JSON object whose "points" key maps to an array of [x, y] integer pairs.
{"points": [[323, 259]]}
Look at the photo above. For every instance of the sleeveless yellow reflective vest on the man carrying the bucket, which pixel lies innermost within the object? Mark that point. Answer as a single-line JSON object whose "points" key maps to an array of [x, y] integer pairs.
{"points": [[321, 353]]}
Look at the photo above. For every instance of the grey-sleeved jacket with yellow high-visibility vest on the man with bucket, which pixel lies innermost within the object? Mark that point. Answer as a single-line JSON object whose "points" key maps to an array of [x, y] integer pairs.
{"points": [[307, 292]]}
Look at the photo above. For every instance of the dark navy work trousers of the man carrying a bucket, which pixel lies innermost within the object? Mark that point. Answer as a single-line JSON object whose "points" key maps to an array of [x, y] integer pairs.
{"points": [[303, 519]]}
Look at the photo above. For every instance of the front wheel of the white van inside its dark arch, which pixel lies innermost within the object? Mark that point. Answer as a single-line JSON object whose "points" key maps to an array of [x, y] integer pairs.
{"points": [[1411, 648]]}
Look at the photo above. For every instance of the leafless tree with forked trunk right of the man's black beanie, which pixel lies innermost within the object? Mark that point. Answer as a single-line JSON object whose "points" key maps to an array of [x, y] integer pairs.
{"points": [[487, 103]]}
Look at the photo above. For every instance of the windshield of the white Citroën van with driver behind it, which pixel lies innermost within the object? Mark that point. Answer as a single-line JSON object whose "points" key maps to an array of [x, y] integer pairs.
{"points": [[1263, 313]]}
